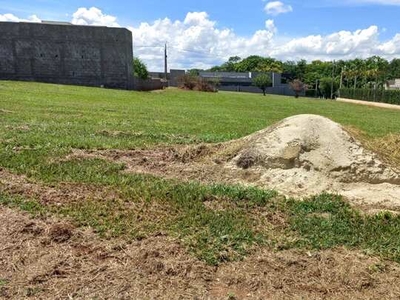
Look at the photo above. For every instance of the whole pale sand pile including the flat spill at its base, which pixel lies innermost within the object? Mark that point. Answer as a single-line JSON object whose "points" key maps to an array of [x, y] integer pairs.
{"points": [[309, 154]]}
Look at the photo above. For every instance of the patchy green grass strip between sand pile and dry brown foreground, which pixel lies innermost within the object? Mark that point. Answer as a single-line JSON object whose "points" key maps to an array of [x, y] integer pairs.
{"points": [[320, 222]]}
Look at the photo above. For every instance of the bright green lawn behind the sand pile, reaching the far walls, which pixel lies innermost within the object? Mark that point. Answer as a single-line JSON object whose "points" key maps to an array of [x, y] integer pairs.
{"points": [[43, 121]]}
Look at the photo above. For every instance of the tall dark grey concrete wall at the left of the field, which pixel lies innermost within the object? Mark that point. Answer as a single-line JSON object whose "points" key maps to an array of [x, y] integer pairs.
{"points": [[67, 54]]}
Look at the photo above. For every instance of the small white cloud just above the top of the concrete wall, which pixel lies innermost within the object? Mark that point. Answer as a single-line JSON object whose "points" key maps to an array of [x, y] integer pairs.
{"points": [[93, 16]]}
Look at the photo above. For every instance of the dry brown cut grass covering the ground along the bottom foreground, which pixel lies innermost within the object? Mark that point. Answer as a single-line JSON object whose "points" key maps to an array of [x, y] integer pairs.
{"points": [[50, 259]]}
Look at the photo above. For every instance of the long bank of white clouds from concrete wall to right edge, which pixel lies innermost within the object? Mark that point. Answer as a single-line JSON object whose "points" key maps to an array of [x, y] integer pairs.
{"points": [[197, 42]]}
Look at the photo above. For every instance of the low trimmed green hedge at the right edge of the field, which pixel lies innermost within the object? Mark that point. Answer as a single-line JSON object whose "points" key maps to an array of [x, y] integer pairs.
{"points": [[385, 96]]}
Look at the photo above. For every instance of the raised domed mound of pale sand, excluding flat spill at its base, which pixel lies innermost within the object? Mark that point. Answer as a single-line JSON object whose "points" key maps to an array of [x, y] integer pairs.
{"points": [[314, 143]]}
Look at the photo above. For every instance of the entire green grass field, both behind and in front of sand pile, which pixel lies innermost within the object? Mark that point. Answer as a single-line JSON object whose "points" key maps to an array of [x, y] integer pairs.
{"points": [[40, 124]]}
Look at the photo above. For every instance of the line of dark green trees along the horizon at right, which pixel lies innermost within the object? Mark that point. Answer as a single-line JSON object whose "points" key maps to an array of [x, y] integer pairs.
{"points": [[372, 72]]}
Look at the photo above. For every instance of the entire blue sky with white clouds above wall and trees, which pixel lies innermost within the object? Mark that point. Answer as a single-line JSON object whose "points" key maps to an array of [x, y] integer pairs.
{"points": [[204, 33]]}
